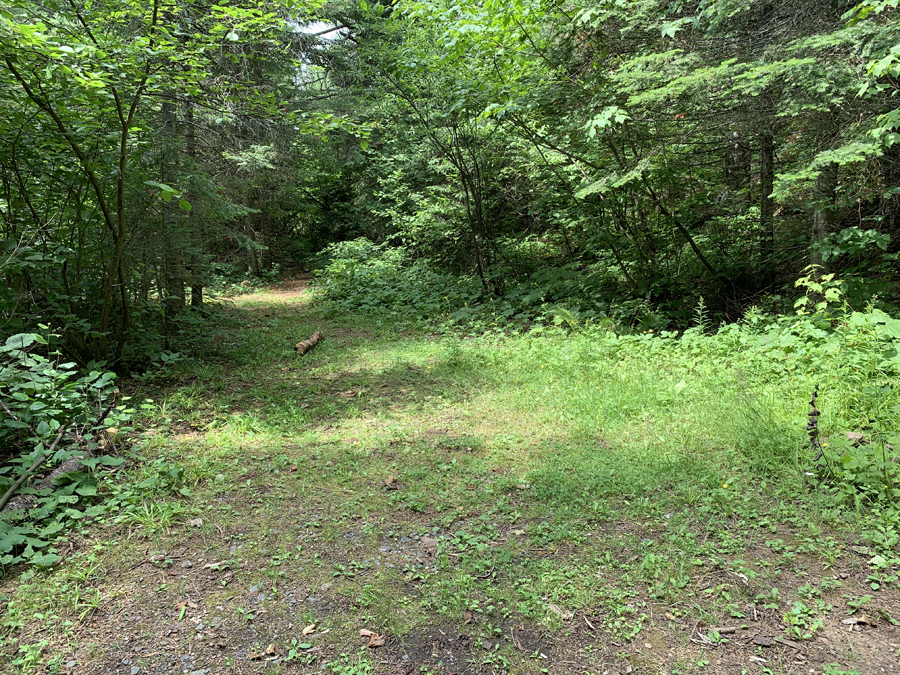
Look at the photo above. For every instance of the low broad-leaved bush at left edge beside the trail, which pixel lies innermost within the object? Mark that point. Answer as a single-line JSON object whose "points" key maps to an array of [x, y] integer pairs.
{"points": [[49, 406]]}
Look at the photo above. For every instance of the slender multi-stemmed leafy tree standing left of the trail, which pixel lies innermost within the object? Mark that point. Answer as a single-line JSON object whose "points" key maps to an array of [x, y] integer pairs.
{"points": [[94, 81]]}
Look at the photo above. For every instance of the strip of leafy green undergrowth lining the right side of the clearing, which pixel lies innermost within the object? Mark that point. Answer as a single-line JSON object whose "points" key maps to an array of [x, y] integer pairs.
{"points": [[754, 369]]}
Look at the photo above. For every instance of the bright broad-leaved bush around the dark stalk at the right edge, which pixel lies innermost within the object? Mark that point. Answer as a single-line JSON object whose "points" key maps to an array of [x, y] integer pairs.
{"points": [[853, 356]]}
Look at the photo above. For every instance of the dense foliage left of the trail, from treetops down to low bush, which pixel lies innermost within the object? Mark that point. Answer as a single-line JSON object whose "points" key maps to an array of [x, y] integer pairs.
{"points": [[143, 148]]}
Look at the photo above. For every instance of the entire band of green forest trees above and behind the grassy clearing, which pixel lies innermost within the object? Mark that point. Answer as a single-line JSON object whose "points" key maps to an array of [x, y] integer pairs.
{"points": [[616, 160]]}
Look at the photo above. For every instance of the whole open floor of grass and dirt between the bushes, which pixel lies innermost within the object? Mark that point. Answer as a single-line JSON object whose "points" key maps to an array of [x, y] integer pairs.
{"points": [[446, 496]]}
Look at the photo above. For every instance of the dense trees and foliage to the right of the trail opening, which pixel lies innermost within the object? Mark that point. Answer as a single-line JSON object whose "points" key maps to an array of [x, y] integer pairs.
{"points": [[648, 151]]}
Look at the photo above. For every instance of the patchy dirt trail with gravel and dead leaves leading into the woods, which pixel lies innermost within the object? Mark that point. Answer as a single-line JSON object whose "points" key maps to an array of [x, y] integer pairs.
{"points": [[289, 545]]}
